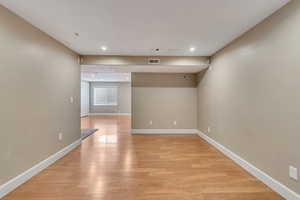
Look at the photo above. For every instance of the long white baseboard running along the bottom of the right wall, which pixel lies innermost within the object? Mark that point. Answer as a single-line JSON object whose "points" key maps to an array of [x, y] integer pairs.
{"points": [[275, 185]]}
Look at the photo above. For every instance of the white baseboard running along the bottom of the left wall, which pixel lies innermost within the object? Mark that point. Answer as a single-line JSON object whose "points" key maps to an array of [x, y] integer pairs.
{"points": [[25, 176]]}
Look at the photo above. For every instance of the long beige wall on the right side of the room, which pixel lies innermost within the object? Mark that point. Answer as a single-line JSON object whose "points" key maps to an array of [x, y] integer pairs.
{"points": [[250, 96]]}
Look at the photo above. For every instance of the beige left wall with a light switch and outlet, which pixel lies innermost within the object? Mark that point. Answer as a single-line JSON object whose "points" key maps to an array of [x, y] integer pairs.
{"points": [[37, 77]]}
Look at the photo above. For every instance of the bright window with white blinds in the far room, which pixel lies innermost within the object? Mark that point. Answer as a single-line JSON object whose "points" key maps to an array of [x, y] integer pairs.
{"points": [[106, 96]]}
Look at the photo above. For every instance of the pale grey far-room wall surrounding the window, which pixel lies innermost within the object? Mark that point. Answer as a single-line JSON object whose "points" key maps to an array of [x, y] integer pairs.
{"points": [[124, 98]]}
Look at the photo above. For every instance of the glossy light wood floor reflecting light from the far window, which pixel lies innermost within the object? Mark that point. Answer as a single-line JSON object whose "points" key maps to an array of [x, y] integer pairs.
{"points": [[114, 165]]}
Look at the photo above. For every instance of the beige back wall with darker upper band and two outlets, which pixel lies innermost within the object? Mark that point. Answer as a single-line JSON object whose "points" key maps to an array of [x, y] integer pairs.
{"points": [[163, 99]]}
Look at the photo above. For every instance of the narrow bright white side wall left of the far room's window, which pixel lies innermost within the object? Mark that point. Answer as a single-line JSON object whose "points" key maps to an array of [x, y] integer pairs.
{"points": [[85, 98]]}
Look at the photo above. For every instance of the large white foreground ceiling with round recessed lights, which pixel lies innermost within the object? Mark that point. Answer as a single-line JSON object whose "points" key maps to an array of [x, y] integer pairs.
{"points": [[136, 27]]}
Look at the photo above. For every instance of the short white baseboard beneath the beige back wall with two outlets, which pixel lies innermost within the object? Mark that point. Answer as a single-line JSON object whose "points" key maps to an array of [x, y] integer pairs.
{"points": [[164, 131]]}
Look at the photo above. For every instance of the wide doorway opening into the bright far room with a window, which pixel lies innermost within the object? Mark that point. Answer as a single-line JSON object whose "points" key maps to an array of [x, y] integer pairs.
{"points": [[105, 103]]}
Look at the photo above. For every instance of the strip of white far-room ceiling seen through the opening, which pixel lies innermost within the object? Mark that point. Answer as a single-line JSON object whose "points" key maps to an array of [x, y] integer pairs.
{"points": [[105, 77]]}
